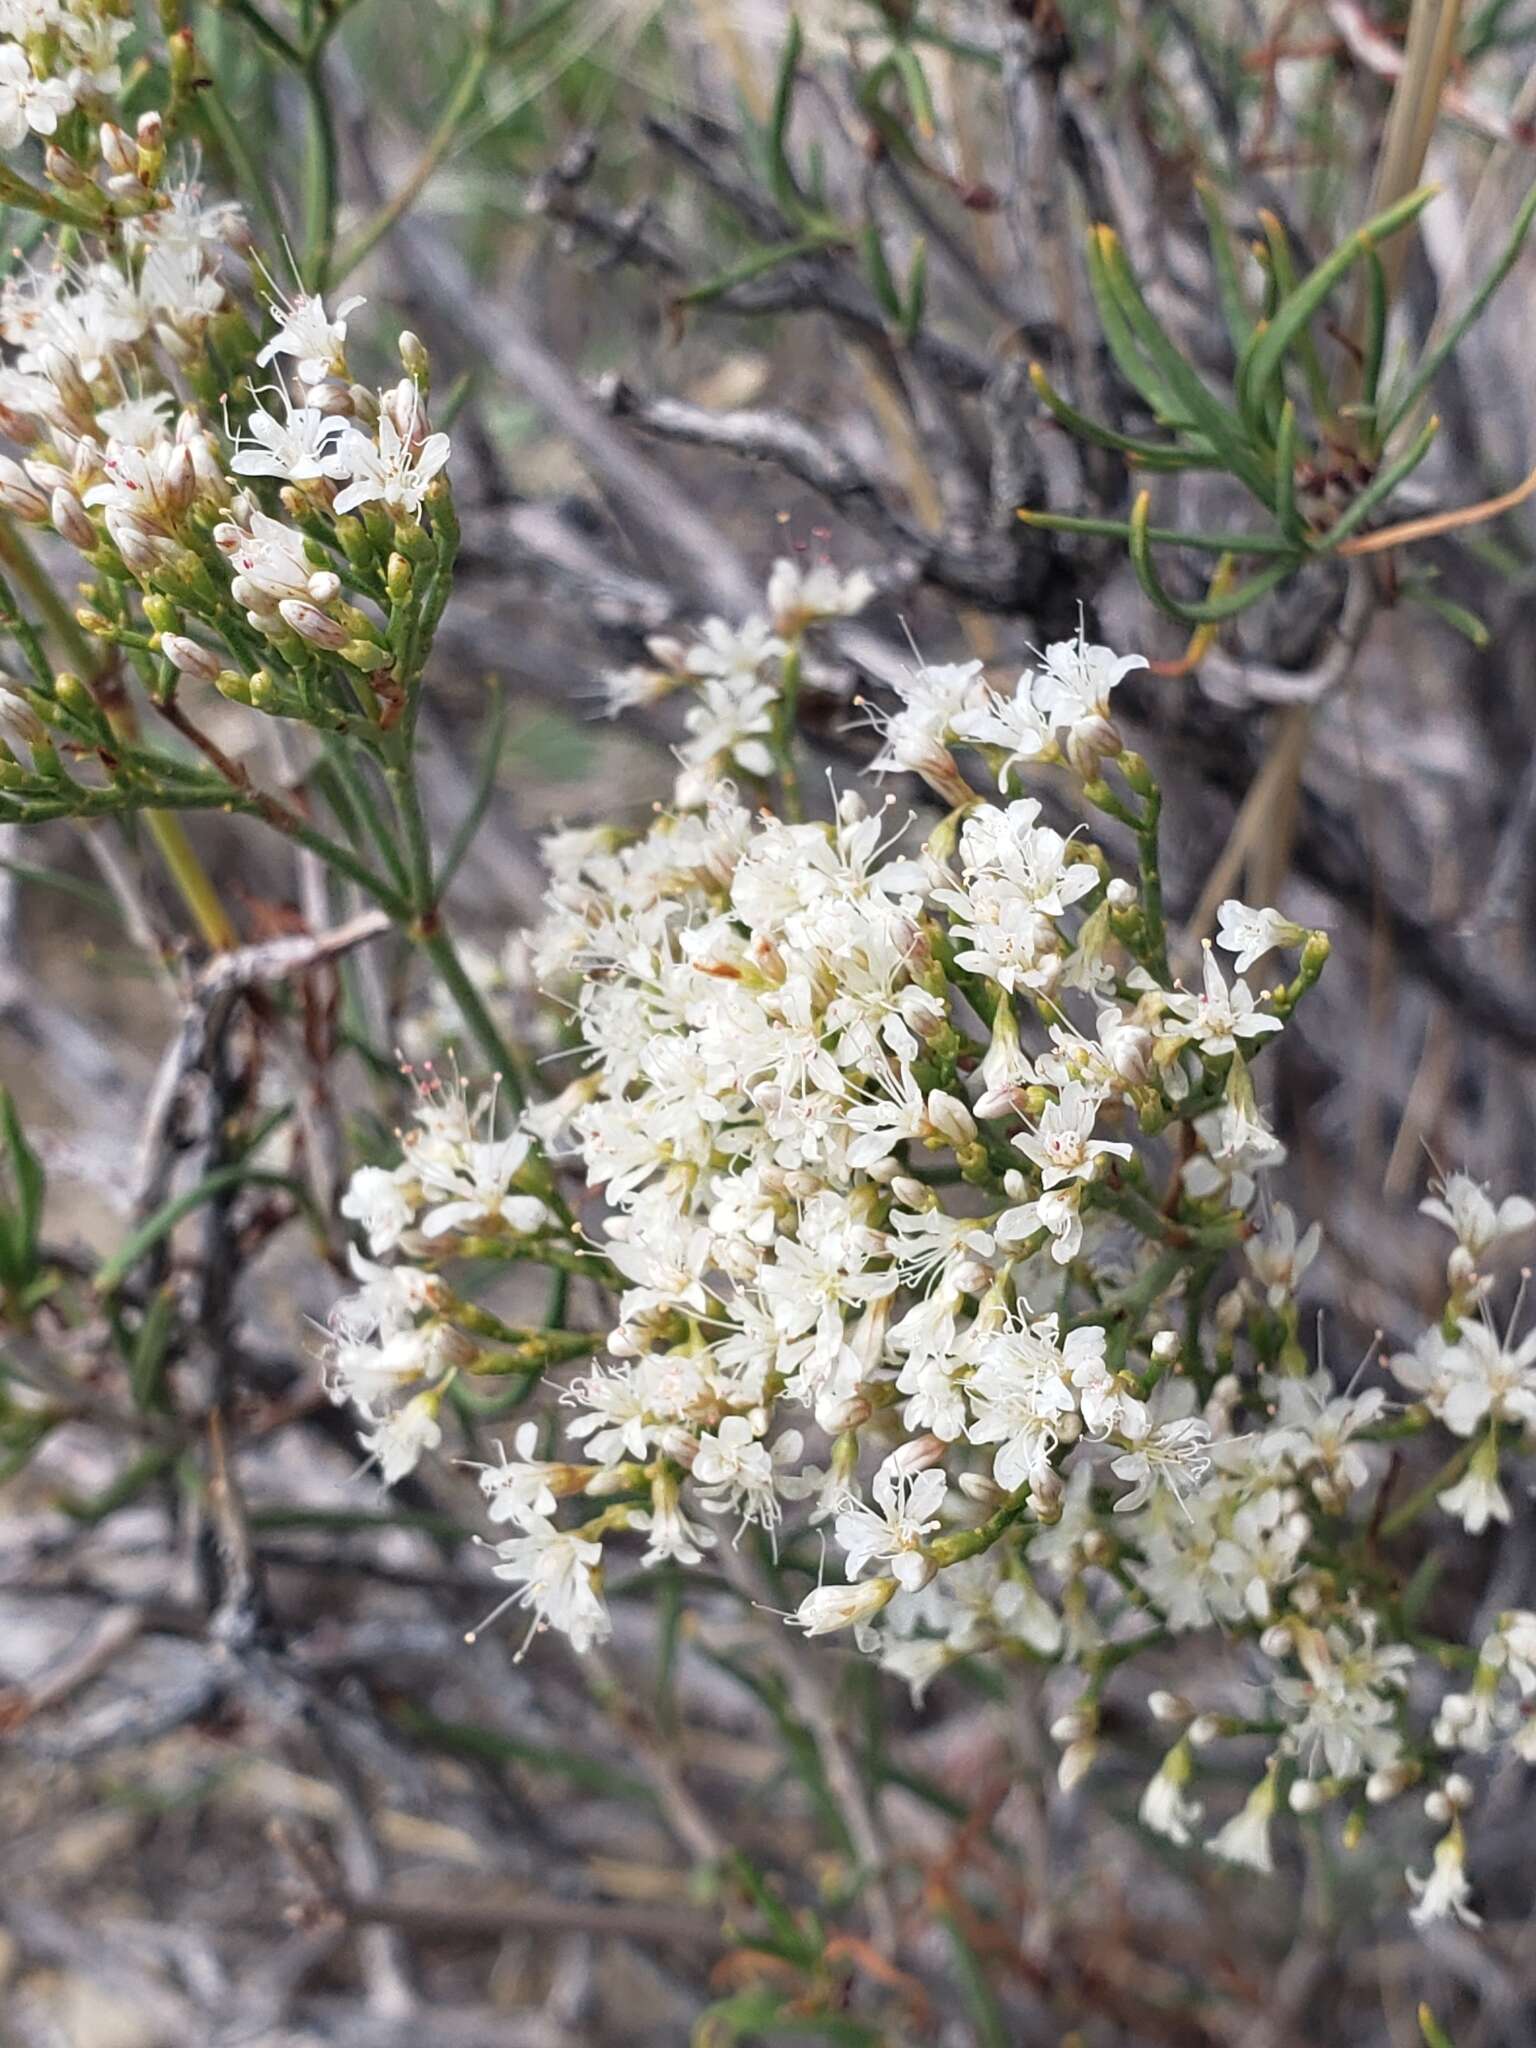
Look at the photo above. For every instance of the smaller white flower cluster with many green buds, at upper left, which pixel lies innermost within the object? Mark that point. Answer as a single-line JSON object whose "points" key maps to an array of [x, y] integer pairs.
{"points": [[255, 517]]}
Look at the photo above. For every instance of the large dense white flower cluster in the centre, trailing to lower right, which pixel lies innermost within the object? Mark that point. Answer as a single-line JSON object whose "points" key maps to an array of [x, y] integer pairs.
{"points": [[933, 1209]]}
